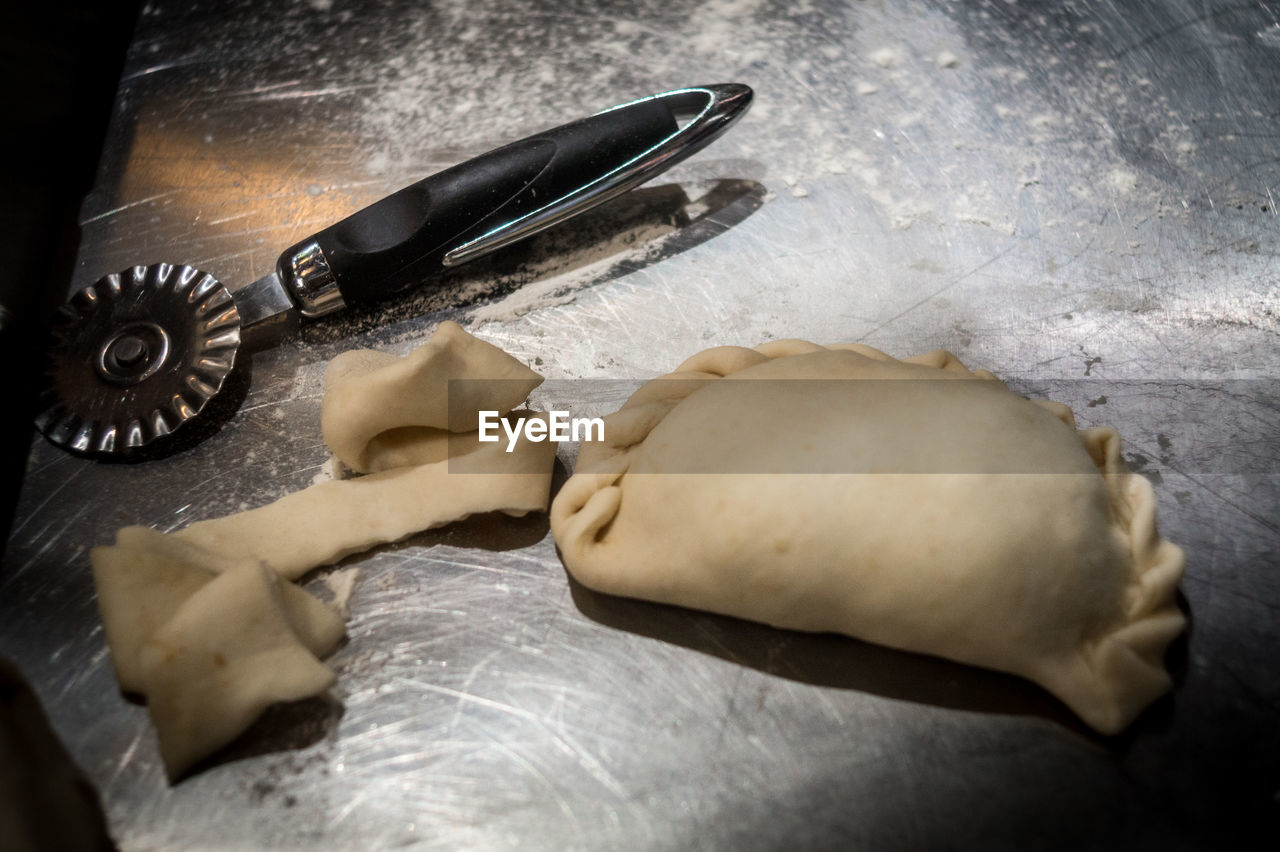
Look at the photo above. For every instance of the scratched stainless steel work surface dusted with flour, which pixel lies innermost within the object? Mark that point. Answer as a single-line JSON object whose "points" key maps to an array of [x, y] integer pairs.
{"points": [[1080, 196]]}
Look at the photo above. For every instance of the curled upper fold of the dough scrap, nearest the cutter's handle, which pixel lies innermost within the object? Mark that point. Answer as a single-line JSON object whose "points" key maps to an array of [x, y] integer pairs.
{"points": [[382, 411]]}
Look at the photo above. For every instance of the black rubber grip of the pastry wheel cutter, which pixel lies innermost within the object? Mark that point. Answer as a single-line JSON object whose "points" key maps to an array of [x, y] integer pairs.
{"points": [[401, 240]]}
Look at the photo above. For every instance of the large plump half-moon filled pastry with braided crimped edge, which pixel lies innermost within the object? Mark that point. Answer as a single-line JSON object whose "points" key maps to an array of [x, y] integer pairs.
{"points": [[996, 535]]}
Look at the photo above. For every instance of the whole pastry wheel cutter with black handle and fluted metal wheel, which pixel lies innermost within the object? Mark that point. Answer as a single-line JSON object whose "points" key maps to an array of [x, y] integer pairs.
{"points": [[140, 354]]}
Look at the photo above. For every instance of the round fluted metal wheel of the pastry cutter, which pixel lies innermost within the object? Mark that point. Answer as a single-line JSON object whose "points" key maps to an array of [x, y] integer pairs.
{"points": [[136, 356]]}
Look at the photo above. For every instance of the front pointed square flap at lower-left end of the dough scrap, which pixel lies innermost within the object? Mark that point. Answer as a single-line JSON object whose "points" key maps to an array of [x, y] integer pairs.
{"points": [[228, 653]]}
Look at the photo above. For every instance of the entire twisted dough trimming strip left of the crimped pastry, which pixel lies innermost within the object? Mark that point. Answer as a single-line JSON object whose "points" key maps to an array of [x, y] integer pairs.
{"points": [[202, 621]]}
